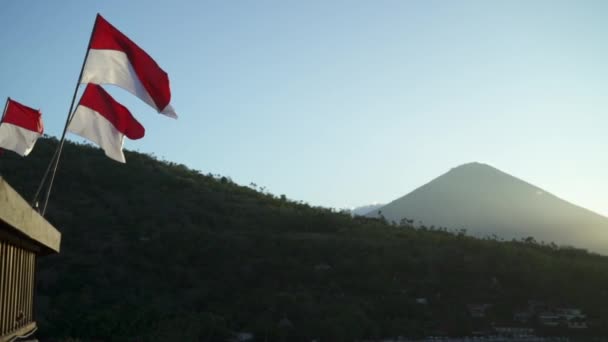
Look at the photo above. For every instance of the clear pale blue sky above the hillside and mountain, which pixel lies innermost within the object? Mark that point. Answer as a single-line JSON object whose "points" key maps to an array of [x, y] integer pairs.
{"points": [[345, 103]]}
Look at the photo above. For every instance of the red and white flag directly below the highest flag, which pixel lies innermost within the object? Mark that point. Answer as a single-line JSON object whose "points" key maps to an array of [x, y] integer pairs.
{"points": [[102, 120]]}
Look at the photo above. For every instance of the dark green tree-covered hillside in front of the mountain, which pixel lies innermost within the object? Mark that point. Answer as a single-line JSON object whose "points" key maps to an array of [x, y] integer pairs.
{"points": [[155, 251]]}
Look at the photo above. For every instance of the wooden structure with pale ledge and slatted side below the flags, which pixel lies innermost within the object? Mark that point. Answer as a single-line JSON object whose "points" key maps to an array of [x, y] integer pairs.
{"points": [[24, 236]]}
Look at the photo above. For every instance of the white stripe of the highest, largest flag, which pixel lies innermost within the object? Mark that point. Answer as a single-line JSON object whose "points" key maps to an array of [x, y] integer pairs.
{"points": [[114, 67]]}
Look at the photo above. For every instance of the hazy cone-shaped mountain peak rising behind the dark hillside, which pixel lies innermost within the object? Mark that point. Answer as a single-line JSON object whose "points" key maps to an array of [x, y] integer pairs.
{"points": [[487, 201]]}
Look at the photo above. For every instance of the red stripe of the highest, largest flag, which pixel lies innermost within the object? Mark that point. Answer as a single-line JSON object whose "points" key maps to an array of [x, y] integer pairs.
{"points": [[153, 78]]}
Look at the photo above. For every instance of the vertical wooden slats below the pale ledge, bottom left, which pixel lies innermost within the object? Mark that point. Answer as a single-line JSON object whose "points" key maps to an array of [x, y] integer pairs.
{"points": [[17, 266]]}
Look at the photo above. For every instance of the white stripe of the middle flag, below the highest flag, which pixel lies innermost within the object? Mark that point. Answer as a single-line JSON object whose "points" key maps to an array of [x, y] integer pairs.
{"points": [[91, 125]]}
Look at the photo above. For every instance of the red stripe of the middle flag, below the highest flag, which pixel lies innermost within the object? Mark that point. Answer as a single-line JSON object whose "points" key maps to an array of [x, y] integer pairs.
{"points": [[96, 98]]}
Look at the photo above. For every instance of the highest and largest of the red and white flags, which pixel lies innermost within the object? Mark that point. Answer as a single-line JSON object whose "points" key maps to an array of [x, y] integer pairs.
{"points": [[114, 59]]}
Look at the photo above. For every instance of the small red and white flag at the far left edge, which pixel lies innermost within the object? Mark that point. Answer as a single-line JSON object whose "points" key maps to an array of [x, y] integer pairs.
{"points": [[21, 126]]}
